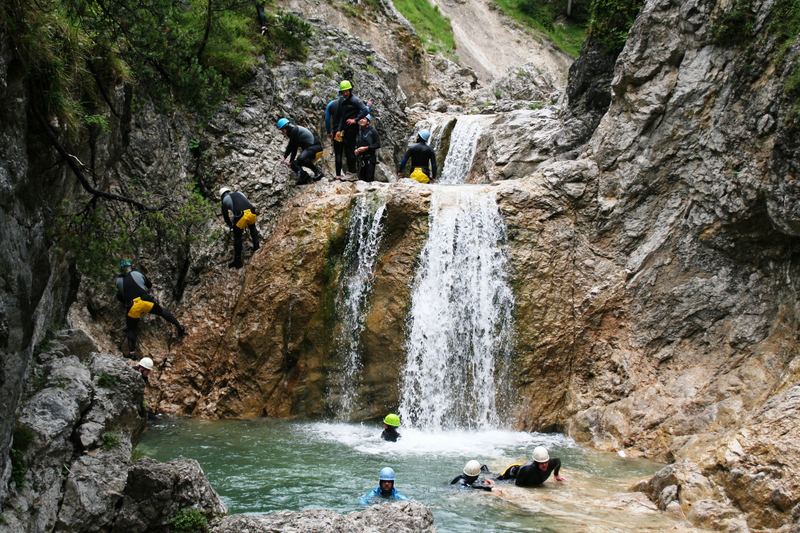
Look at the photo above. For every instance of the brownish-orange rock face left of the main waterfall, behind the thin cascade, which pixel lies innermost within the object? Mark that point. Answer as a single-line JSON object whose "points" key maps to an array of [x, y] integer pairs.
{"points": [[264, 344]]}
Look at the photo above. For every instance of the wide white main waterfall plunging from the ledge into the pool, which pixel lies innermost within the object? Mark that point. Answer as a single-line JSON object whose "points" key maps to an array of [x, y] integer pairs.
{"points": [[460, 324]]}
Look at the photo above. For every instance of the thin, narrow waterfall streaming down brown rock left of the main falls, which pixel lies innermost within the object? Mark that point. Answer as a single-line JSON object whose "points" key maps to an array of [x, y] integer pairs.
{"points": [[361, 251]]}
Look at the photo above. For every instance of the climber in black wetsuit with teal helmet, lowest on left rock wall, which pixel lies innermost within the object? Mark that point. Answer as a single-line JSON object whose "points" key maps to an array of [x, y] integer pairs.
{"points": [[133, 290]]}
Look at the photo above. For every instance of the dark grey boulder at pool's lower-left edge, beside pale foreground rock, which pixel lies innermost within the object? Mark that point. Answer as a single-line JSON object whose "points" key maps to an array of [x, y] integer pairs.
{"points": [[155, 493]]}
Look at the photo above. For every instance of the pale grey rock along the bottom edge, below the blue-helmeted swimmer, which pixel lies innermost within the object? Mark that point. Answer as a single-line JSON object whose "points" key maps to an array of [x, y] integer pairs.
{"points": [[396, 516]]}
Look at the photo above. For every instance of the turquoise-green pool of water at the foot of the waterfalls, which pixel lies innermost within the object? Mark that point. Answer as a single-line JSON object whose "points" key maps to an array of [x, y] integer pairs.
{"points": [[259, 466]]}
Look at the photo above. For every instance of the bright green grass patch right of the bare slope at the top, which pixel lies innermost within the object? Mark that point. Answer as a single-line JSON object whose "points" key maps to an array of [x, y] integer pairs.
{"points": [[567, 33]]}
